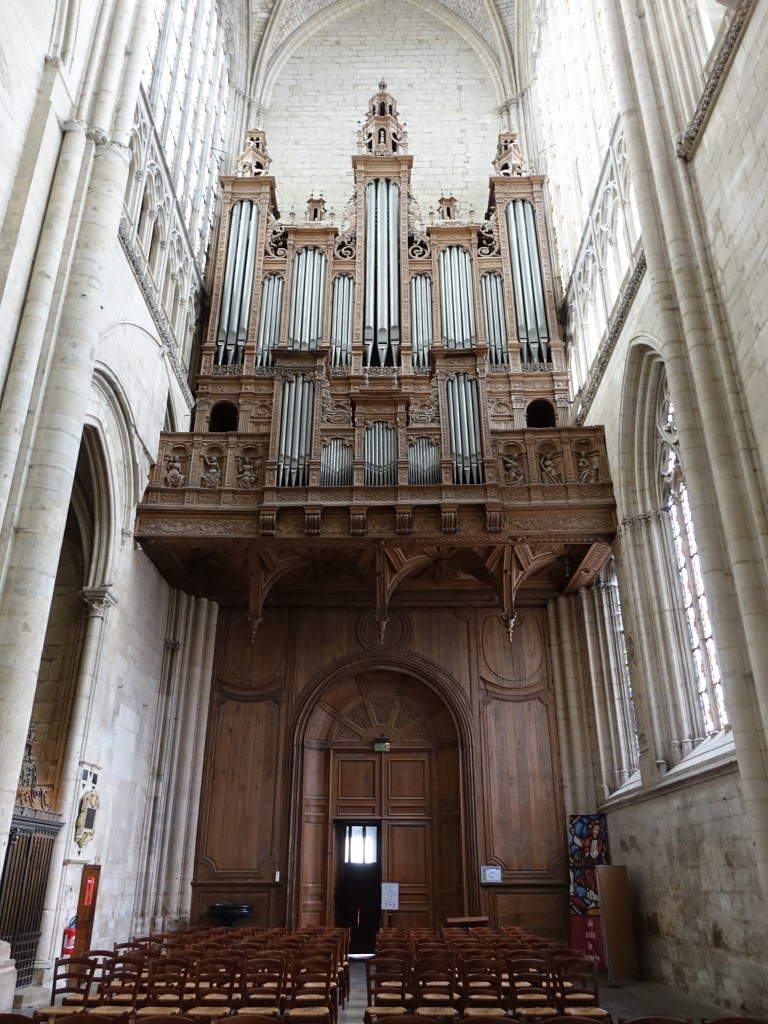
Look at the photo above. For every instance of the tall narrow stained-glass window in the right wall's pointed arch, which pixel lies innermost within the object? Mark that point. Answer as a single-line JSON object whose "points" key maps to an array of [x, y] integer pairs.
{"points": [[704, 651]]}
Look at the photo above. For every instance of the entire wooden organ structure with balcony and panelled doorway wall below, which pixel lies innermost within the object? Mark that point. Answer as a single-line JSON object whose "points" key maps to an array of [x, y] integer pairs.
{"points": [[383, 494]]}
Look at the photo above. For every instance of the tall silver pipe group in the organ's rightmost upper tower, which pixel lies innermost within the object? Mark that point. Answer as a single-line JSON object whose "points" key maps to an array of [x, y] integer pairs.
{"points": [[529, 285]]}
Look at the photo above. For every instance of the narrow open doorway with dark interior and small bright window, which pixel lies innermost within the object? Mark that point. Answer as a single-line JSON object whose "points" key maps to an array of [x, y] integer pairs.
{"points": [[359, 882]]}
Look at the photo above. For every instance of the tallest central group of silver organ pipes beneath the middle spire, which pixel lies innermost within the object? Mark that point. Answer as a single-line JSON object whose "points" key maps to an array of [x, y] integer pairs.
{"points": [[382, 325]]}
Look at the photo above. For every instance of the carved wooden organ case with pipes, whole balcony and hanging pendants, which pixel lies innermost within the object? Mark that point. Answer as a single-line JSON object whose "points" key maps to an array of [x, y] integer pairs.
{"points": [[382, 379]]}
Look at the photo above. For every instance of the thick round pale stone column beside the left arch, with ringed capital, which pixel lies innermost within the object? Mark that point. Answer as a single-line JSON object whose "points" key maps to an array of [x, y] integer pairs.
{"points": [[44, 505]]}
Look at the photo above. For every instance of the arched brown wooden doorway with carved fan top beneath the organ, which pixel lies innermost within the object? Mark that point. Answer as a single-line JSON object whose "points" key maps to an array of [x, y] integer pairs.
{"points": [[412, 794]]}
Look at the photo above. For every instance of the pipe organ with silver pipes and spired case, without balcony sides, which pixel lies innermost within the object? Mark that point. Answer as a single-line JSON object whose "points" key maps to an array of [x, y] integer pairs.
{"points": [[377, 352]]}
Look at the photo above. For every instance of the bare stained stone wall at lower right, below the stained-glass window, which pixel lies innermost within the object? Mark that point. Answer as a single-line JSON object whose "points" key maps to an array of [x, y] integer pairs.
{"points": [[694, 888]]}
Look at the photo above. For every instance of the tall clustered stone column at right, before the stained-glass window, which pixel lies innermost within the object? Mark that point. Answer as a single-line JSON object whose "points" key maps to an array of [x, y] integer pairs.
{"points": [[720, 474]]}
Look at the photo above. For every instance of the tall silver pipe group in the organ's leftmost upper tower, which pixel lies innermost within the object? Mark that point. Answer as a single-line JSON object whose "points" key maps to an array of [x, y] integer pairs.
{"points": [[236, 291]]}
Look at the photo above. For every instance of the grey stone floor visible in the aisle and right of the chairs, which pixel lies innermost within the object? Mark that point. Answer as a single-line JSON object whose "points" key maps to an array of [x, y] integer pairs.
{"points": [[624, 1001]]}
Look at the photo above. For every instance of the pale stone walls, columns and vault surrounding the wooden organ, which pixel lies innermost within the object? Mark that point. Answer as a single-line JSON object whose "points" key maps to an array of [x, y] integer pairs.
{"points": [[113, 665]]}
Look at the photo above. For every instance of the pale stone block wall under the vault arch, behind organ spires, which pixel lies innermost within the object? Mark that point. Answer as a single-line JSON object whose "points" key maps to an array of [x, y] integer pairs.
{"points": [[446, 95]]}
